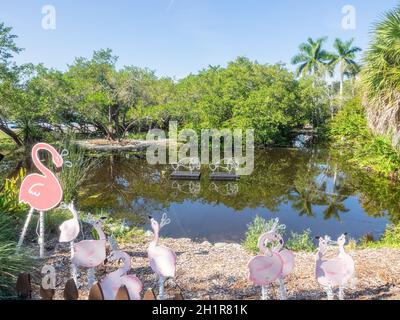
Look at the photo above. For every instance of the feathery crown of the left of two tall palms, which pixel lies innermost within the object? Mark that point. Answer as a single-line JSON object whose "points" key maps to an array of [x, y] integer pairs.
{"points": [[312, 59]]}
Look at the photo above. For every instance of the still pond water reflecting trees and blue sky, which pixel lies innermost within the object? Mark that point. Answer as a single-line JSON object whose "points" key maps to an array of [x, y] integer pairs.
{"points": [[304, 188]]}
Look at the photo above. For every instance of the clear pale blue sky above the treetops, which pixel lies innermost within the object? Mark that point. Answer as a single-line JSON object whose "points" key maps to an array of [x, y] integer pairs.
{"points": [[178, 37]]}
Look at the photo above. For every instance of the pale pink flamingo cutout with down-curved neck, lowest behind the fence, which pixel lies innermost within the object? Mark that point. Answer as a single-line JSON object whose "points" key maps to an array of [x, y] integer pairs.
{"points": [[112, 282]]}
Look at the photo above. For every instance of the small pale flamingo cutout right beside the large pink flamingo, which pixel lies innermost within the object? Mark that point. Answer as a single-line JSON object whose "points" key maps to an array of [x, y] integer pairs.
{"points": [[69, 231]]}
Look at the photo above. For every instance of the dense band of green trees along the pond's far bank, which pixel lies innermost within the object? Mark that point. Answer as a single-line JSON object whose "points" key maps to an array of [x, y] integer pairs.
{"points": [[95, 98]]}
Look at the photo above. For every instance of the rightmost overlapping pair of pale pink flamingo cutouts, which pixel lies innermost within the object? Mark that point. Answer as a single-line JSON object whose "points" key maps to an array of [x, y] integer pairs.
{"points": [[335, 272]]}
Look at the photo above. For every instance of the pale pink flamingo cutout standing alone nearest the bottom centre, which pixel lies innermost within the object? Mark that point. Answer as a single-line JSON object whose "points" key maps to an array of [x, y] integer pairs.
{"points": [[162, 259]]}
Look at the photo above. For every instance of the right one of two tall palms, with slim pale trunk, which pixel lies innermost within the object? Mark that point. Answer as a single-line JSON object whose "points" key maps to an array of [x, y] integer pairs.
{"points": [[345, 58]]}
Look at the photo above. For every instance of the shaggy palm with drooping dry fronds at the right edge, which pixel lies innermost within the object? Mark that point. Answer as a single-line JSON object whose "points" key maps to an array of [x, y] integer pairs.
{"points": [[381, 76]]}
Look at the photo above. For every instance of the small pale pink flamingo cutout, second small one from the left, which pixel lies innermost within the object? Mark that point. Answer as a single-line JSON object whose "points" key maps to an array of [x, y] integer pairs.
{"points": [[90, 253]]}
